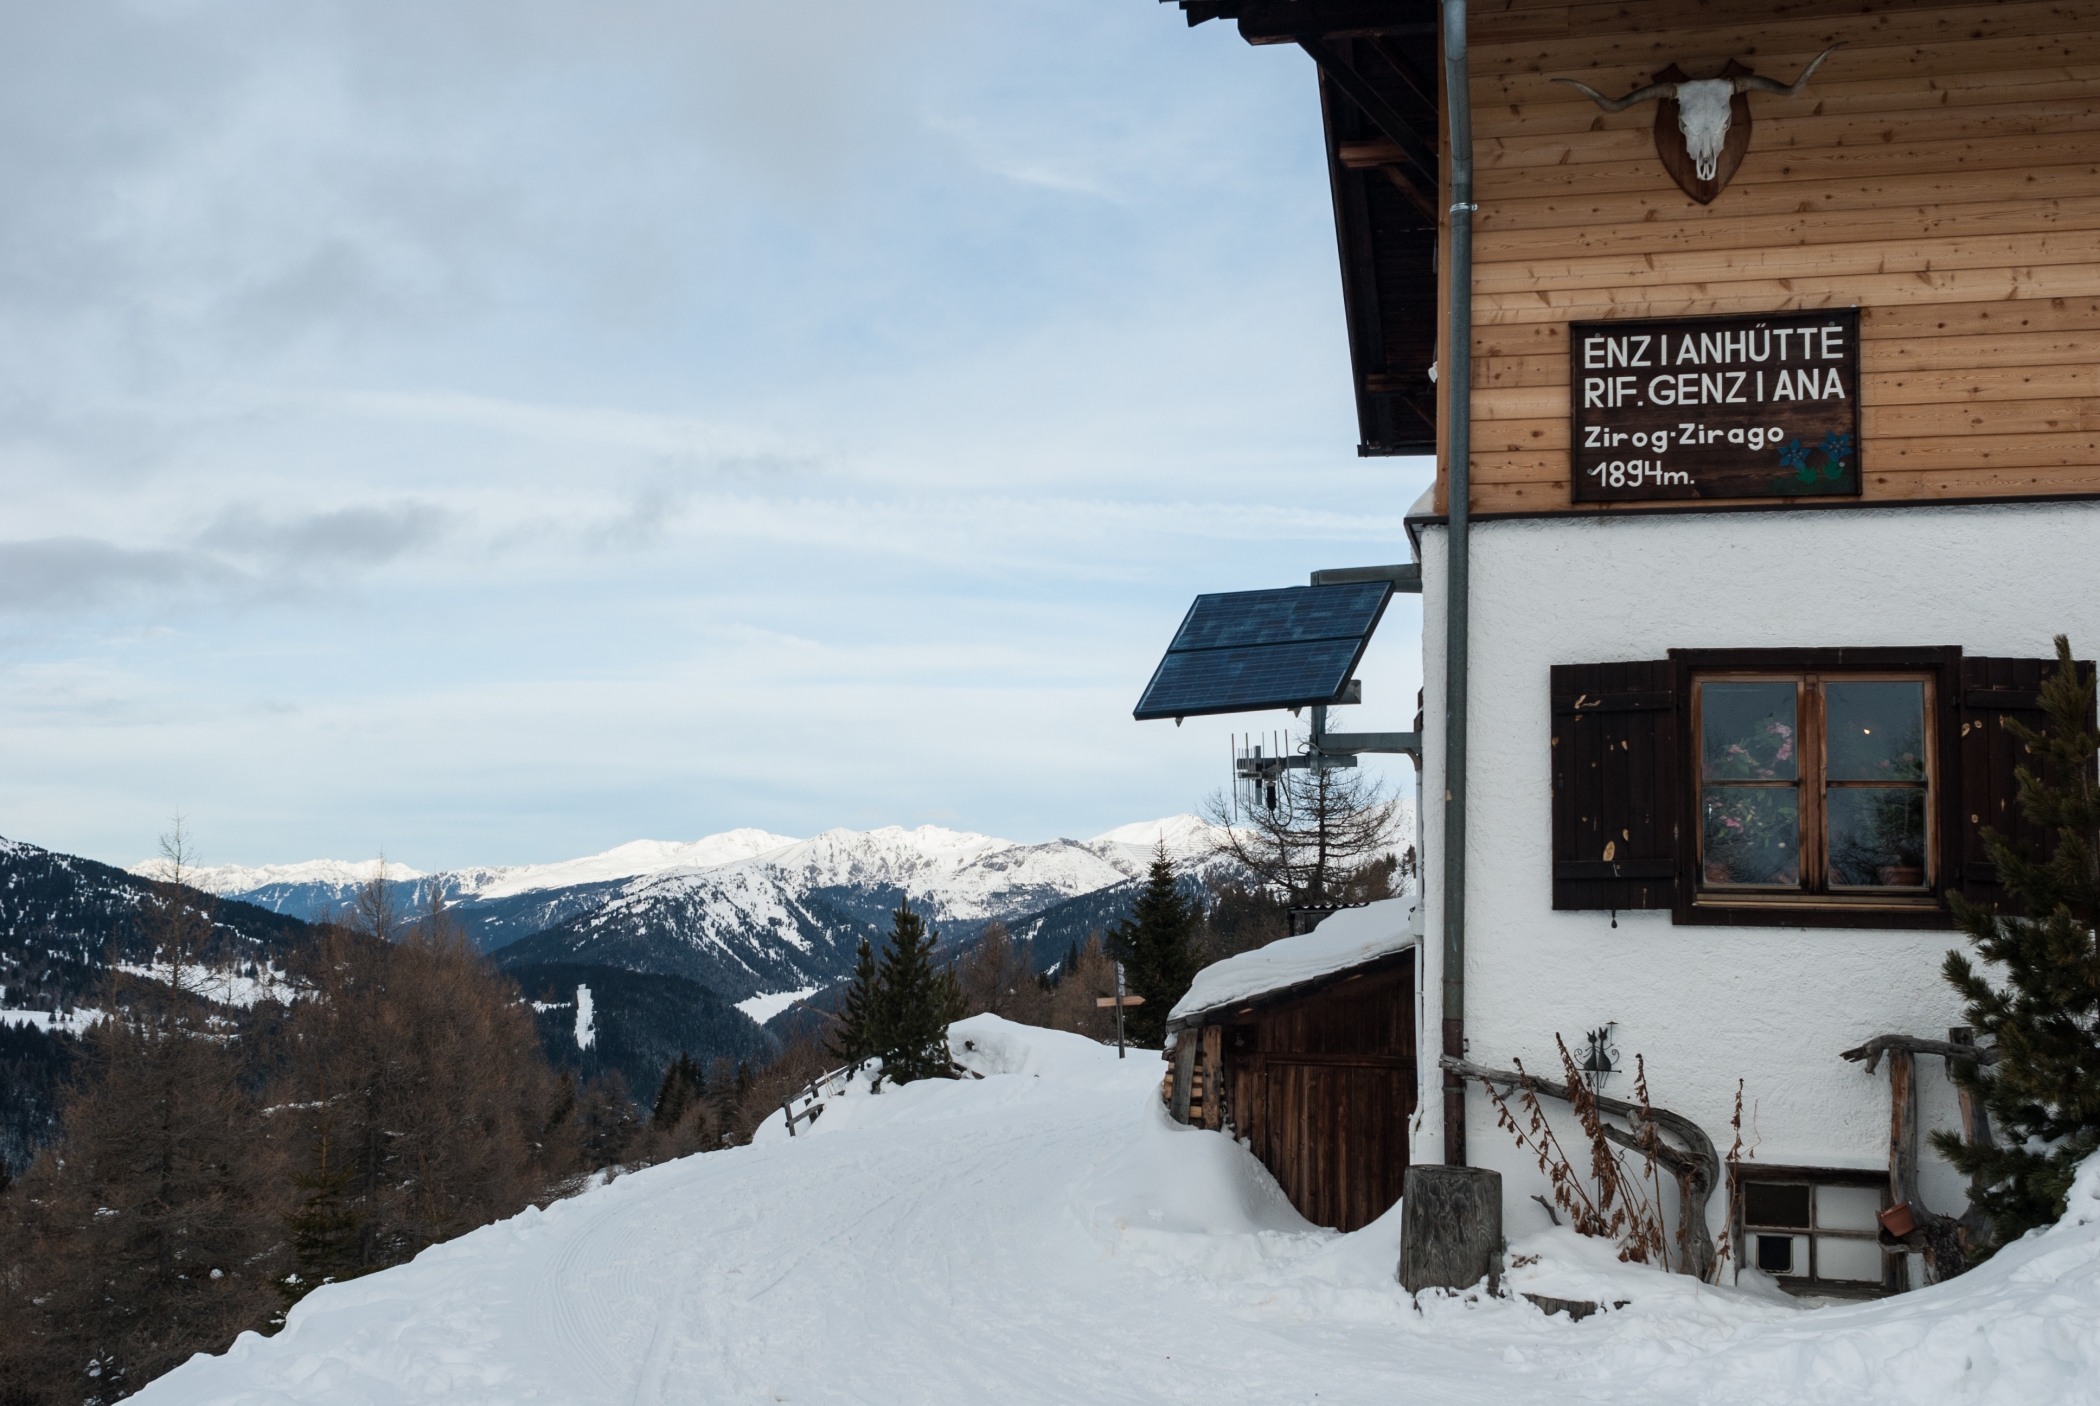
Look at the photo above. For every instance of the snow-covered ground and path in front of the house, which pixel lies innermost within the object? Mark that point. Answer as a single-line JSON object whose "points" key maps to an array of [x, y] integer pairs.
{"points": [[1049, 1237]]}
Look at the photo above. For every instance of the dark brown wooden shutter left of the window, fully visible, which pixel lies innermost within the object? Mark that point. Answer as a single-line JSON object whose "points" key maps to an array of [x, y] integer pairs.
{"points": [[1616, 786]]}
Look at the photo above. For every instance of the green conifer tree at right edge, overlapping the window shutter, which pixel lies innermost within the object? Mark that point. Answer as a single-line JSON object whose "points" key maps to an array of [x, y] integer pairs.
{"points": [[2042, 1006]]}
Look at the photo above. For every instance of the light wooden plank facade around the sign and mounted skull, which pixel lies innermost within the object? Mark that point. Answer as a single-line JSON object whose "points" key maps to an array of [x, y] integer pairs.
{"points": [[1941, 173]]}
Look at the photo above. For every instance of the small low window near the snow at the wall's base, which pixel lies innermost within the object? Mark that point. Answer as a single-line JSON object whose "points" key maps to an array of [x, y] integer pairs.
{"points": [[1813, 1235]]}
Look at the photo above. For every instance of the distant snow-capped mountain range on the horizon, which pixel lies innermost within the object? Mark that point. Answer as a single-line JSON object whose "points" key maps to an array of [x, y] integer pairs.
{"points": [[744, 912]]}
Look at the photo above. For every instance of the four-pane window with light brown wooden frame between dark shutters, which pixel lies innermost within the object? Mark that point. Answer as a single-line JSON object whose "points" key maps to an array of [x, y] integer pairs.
{"points": [[1815, 788]]}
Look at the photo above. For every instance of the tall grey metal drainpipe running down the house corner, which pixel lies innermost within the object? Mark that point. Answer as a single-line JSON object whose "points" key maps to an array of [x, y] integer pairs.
{"points": [[1458, 576]]}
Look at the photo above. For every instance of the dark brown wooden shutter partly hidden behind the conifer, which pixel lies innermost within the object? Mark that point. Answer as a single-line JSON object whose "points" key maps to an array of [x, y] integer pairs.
{"points": [[1988, 754]]}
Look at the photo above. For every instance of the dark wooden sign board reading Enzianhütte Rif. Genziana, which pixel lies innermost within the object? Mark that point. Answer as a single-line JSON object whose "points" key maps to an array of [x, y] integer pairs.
{"points": [[1694, 408]]}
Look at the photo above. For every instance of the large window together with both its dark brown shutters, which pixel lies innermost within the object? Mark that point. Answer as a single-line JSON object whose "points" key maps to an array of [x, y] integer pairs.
{"points": [[1786, 788]]}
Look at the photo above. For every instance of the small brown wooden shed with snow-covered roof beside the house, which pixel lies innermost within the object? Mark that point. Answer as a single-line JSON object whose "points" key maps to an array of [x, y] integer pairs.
{"points": [[1318, 1073]]}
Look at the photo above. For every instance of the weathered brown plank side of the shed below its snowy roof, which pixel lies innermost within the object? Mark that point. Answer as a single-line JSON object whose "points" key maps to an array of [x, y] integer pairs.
{"points": [[1324, 1088]]}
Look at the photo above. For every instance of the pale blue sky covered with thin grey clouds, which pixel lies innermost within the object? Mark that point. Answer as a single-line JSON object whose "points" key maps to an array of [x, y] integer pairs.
{"points": [[490, 433]]}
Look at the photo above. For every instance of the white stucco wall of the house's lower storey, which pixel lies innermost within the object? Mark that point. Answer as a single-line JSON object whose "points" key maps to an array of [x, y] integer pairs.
{"points": [[1708, 1006]]}
